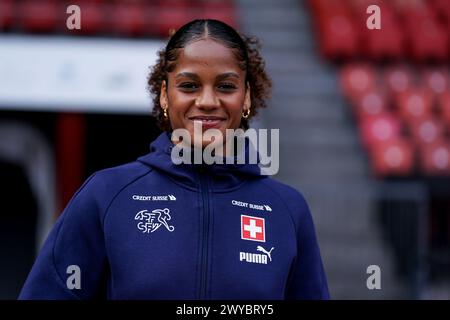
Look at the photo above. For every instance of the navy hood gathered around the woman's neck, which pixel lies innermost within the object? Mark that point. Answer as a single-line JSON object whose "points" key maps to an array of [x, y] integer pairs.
{"points": [[223, 176]]}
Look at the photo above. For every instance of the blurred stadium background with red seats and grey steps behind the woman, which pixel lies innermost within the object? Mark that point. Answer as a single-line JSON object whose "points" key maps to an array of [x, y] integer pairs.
{"points": [[364, 118]]}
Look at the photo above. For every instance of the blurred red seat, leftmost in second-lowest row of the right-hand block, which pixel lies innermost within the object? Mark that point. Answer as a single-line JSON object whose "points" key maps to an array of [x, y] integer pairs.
{"points": [[379, 128]]}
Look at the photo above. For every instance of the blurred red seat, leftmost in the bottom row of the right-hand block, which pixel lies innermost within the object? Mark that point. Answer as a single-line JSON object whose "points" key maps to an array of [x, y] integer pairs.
{"points": [[392, 158]]}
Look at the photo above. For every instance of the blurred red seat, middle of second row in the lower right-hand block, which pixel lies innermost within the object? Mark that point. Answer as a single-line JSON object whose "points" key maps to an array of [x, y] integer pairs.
{"points": [[414, 104]]}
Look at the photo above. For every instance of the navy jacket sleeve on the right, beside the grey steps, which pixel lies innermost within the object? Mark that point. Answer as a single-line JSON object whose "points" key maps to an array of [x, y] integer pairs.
{"points": [[307, 279]]}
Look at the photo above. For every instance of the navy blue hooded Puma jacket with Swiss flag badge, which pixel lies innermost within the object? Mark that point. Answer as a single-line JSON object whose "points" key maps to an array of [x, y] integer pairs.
{"points": [[151, 229]]}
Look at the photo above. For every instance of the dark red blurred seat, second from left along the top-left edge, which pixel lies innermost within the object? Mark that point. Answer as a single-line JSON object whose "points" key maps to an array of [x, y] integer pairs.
{"points": [[40, 16]]}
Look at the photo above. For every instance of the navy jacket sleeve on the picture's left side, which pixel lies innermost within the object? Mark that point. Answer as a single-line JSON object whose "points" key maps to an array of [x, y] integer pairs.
{"points": [[76, 241]]}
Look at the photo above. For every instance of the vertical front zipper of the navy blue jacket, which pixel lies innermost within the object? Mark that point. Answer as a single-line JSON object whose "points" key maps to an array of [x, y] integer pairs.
{"points": [[204, 188]]}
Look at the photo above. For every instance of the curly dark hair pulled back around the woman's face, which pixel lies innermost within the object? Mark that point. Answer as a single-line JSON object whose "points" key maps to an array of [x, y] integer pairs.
{"points": [[246, 50]]}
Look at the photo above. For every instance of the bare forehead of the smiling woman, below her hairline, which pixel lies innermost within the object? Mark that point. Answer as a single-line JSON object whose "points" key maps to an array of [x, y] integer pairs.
{"points": [[206, 55]]}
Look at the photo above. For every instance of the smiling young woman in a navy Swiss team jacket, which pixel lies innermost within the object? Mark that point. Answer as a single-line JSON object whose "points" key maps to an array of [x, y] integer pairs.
{"points": [[153, 229]]}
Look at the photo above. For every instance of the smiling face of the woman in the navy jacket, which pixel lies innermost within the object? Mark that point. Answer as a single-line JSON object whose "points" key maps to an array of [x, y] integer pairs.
{"points": [[207, 86]]}
